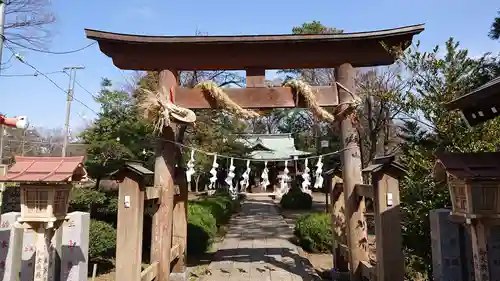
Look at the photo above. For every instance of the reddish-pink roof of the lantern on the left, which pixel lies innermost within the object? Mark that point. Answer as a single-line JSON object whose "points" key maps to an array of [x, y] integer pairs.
{"points": [[46, 169]]}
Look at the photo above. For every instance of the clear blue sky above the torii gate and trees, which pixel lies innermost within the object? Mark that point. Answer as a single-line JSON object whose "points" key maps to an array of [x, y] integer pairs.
{"points": [[44, 104]]}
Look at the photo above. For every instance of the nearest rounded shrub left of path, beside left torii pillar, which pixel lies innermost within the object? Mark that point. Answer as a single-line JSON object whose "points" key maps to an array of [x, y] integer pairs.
{"points": [[202, 228]]}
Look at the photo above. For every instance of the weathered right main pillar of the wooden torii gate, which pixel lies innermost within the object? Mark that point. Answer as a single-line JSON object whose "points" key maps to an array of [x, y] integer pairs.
{"points": [[351, 176]]}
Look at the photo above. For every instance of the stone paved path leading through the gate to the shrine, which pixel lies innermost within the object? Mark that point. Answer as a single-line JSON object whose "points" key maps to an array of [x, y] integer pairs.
{"points": [[256, 247]]}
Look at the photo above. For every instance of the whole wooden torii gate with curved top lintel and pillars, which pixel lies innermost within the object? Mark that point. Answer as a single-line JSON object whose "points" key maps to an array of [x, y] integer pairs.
{"points": [[255, 54]]}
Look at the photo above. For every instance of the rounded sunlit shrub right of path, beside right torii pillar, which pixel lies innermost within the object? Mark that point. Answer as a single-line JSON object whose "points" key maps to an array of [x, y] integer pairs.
{"points": [[314, 232]]}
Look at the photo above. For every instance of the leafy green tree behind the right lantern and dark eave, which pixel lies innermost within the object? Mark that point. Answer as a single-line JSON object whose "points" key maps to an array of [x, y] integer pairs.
{"points": [[428, 129]]}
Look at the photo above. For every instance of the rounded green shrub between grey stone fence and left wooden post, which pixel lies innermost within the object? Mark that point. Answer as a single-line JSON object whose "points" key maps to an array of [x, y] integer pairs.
{"points": [[102, 240]]}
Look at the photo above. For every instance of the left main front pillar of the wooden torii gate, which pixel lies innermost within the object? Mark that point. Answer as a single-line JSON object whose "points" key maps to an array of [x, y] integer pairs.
{"points": [[164, 178]]}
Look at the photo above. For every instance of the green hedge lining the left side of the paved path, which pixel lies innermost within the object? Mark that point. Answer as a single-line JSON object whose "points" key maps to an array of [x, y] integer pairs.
{"points": [[204, 218]]}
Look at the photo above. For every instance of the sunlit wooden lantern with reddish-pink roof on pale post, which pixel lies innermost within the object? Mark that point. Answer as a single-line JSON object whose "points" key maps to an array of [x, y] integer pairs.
{"points": [[45, 184]]}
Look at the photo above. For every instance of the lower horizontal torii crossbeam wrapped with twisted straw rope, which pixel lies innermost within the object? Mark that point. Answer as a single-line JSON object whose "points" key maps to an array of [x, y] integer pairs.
{"points": [[255, 98]]}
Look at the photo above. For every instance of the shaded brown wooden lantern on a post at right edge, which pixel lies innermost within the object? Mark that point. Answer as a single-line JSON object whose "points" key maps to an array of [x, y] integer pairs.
{"points": [[474, 183]]}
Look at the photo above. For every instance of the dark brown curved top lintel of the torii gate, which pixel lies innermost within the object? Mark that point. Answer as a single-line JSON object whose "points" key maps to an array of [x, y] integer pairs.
{"points": [[361, 49]]}
